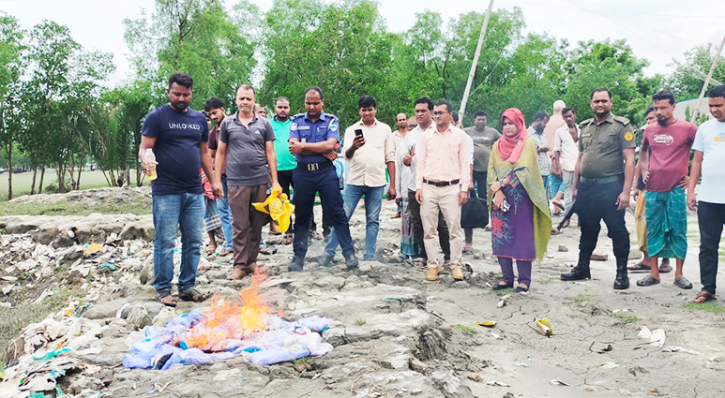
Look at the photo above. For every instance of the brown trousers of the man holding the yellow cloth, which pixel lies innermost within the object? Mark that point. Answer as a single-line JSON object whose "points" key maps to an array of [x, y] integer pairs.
{"points": [[247, 223]]}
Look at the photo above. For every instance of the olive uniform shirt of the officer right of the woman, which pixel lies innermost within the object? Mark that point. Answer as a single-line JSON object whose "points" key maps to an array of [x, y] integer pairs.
{"points": [[602, 145]]}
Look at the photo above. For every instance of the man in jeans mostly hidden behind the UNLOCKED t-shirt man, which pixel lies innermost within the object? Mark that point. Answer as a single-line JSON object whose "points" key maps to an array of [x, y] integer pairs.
{"points": [[215, 107]]}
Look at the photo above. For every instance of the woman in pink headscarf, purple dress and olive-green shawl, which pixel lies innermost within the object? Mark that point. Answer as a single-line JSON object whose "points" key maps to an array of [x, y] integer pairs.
{"points": [[520, 219]]}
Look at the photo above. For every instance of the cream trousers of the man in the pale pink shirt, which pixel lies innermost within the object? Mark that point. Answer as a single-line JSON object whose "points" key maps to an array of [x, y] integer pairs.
{"points": [[443, 200]]}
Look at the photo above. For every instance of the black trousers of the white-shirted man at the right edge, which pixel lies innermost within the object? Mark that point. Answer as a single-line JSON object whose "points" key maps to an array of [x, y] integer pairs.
{"points": [[711, 217]]}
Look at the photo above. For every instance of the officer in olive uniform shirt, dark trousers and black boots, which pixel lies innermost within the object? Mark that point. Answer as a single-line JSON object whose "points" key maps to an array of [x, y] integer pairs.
{"points": [[601, 185]]}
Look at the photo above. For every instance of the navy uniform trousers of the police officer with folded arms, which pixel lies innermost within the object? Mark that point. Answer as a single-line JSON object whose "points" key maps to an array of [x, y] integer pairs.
{"points": [[307, 184]]}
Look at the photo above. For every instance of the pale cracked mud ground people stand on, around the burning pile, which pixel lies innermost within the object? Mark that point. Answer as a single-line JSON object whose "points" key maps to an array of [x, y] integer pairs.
{"points": [[396, 335]]}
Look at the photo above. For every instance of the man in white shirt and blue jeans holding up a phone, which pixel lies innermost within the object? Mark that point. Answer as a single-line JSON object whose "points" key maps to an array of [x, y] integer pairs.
{"points": [[369, 147]]}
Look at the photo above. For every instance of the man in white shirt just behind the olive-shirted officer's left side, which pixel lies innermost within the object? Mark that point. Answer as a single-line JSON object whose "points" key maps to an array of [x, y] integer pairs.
{"points": [[566, 152]]}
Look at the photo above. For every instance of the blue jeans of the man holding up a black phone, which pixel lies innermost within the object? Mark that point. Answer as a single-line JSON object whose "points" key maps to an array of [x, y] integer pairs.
{"points": [[373, 203]]}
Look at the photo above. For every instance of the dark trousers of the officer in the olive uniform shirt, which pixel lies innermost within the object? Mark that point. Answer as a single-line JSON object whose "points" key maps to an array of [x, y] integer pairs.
{"points": [[596, 203]]}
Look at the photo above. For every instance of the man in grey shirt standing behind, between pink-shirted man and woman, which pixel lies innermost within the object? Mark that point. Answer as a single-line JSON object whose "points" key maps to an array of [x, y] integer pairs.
{"points": [[483, 138]]}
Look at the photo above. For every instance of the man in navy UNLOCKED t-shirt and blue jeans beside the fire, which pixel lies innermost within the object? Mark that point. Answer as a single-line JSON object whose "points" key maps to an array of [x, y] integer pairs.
{"points": [[178, 137]]}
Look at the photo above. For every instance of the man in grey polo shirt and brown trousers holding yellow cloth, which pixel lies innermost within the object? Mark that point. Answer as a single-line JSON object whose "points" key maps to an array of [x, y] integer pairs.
{"points": [[246, 145]]}
